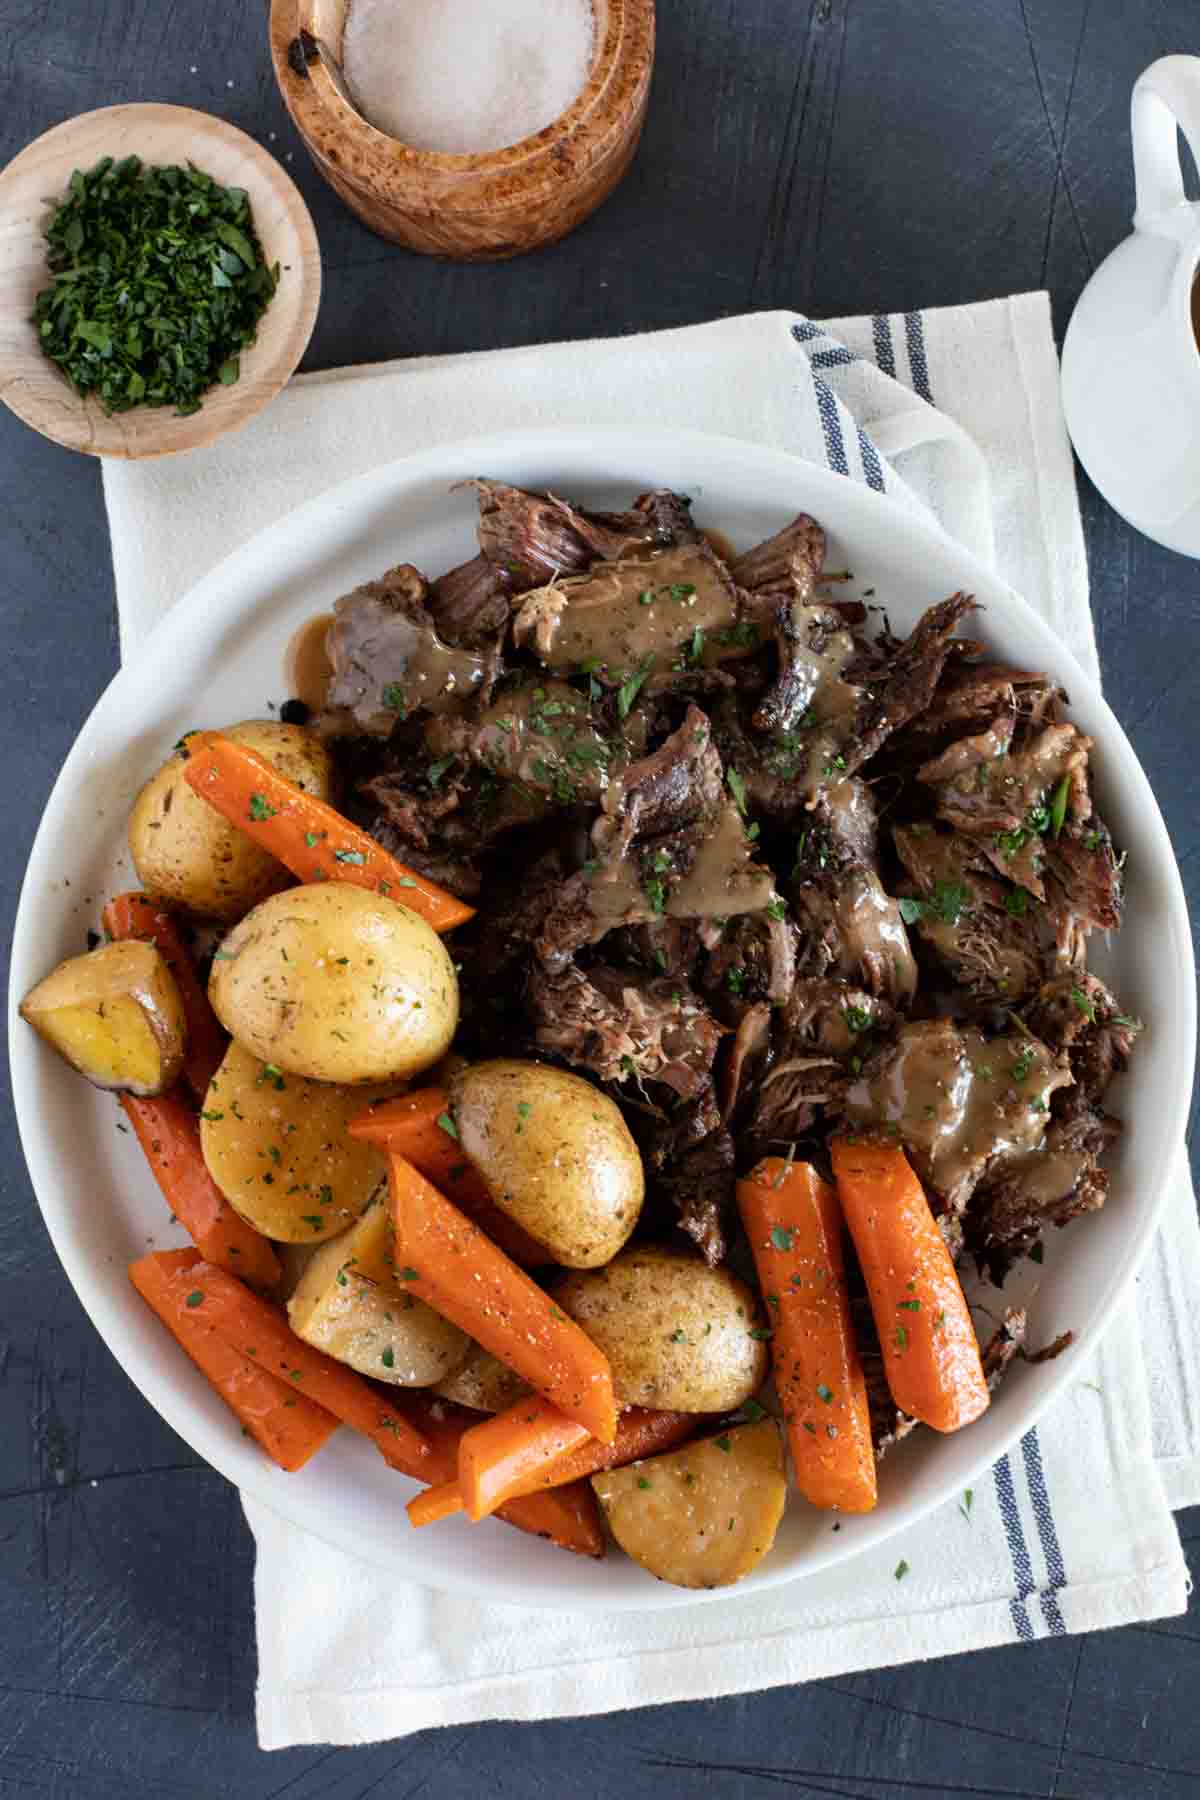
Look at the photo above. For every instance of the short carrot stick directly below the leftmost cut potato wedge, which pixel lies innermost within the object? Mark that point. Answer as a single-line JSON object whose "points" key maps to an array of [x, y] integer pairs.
{"points": [[168, 1131]]}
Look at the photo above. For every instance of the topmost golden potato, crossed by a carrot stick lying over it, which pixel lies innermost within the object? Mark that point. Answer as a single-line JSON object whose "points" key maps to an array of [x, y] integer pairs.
{"points": [[188, 854]]}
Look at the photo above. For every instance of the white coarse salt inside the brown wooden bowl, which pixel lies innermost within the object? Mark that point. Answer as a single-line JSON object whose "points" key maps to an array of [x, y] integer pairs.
{"points": [[467, 76]]}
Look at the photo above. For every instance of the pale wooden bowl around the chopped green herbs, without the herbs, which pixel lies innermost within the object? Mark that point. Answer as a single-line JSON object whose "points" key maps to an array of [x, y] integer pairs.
{"points": [[37, 390]]}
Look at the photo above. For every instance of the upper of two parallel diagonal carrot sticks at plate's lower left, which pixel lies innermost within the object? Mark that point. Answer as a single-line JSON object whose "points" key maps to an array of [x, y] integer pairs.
{"points": [[260, 1331]]}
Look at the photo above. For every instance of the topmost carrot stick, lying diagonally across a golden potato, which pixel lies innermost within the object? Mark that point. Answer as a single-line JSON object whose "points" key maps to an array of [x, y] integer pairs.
{"points": [[303, 832]]}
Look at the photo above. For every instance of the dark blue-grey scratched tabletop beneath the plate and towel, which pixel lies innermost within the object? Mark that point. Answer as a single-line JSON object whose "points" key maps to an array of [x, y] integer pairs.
{"points": [[834, 156]]}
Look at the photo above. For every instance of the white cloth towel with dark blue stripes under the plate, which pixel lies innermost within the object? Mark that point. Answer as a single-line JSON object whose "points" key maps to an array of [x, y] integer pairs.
{"points": [[956, 413]]}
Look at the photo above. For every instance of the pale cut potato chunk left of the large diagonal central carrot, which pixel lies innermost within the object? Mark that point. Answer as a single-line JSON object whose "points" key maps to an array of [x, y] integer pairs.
{"points": [[352, 1306]]}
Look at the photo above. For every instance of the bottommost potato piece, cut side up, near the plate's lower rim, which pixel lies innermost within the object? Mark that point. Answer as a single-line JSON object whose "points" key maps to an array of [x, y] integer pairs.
{"points": [[701, 1516]]}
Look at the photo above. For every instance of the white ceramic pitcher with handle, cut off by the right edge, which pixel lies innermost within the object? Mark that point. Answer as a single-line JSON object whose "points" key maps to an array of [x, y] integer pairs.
{"points": [[1131, 359]]}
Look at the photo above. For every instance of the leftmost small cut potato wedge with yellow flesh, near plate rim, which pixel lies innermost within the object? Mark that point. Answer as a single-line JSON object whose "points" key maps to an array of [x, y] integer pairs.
{"points": [[116, 1016]]}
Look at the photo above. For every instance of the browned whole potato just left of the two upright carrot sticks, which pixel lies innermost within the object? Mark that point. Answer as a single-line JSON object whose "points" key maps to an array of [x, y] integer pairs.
{"points": [[679, 1336]]}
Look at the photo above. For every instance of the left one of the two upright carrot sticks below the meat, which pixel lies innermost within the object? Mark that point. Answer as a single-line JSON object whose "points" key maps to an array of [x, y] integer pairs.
{"points": [[794, 1227]]}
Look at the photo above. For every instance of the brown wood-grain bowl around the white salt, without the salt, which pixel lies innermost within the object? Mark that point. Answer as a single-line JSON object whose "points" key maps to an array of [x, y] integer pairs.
{"points": [[479, 208]]}
